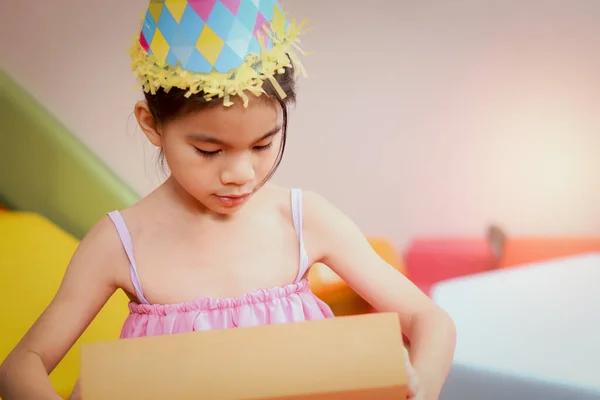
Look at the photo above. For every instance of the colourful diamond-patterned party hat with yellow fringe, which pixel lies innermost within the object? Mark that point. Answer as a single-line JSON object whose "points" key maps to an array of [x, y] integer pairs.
{"points": [[219, 48]]}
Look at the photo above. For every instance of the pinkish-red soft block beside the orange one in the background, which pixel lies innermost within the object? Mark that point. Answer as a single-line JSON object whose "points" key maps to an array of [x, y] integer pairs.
{"points": [[430, 260]]}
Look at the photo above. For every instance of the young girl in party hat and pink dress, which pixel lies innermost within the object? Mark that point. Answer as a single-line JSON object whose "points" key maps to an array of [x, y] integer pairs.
{"points": [[216, 245]]}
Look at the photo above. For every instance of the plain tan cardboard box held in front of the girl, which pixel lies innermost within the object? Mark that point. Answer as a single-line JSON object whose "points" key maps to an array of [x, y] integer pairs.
{"points": [[353, 357]]}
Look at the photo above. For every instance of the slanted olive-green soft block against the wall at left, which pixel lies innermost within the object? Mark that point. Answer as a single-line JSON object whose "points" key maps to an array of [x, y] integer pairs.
{"points": [[46, 169]]}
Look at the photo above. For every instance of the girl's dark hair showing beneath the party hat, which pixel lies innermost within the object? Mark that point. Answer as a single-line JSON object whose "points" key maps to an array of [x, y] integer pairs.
{"points": [[166, 106]]}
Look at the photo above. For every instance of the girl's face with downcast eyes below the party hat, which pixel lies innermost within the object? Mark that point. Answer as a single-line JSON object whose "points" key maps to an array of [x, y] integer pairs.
{"points": [[221, 155]]}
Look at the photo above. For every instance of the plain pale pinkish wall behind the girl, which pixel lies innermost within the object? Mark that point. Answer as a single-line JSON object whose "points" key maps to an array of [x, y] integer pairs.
{"points": [[428, 117]]}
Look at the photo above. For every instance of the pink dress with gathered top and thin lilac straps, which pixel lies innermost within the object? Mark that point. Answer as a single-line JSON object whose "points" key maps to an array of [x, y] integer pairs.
{"points": [[291, 303]]}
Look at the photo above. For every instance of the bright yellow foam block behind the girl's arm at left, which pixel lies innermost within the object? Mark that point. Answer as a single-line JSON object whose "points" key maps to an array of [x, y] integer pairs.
{"points": [[34, 255]]}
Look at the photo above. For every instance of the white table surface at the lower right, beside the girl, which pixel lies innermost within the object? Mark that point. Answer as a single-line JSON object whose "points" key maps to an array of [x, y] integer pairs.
{"points": [[534, 327]]}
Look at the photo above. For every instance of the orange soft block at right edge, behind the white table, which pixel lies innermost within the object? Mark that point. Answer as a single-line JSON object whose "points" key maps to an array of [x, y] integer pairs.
{"points": [[522, 250]]}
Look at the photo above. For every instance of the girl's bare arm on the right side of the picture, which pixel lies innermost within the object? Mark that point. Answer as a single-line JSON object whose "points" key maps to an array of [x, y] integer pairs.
{"points": [[333, 239]]}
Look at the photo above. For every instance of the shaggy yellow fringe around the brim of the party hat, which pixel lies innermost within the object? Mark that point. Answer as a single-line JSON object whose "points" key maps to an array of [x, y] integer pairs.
{"points": [[250, 76]]}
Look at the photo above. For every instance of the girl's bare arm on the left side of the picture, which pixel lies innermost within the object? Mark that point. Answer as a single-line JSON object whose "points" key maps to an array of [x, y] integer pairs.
{"points": [[88, 283]]}
